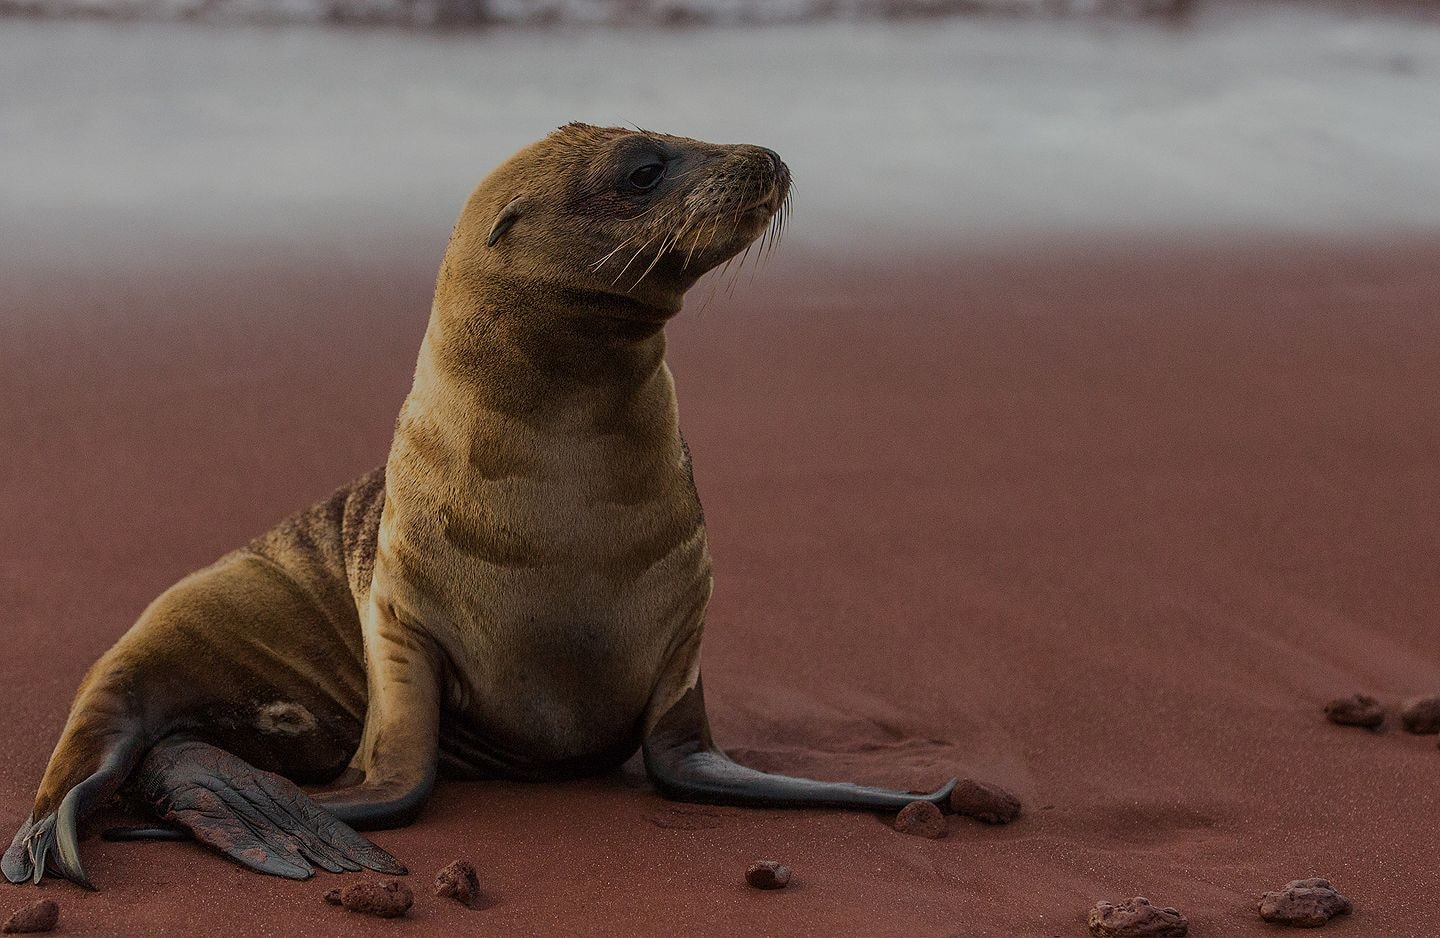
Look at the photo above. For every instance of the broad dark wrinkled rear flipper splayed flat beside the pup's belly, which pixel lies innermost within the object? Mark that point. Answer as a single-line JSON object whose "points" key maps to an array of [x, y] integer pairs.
{"points": [[257, 819]]}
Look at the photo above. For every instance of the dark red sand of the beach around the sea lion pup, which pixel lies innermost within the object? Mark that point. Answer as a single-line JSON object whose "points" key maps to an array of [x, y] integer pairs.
{"points": [[1108, 532]]}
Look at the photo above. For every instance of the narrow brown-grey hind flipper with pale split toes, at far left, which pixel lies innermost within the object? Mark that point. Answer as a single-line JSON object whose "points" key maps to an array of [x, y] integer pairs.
{"points": [[102, 746]]}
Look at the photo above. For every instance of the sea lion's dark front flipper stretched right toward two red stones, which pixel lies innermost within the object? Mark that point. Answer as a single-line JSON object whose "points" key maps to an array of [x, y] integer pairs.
{"points": [[686, 766]]}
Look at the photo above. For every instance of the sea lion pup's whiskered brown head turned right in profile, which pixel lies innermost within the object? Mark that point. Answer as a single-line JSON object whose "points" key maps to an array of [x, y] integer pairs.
{"points": [[627, 220]]}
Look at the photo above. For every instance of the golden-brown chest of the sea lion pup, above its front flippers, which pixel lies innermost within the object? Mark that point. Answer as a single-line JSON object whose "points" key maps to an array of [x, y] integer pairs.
{"points": [[558, 567]]}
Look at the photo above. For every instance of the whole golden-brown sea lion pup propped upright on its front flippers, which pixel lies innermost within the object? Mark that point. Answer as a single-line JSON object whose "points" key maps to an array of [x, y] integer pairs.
{"points": [[519, 593]]}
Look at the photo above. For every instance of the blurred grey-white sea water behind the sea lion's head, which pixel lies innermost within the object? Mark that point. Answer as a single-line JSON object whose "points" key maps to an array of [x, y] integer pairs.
{"points": [[142, 140]]}
